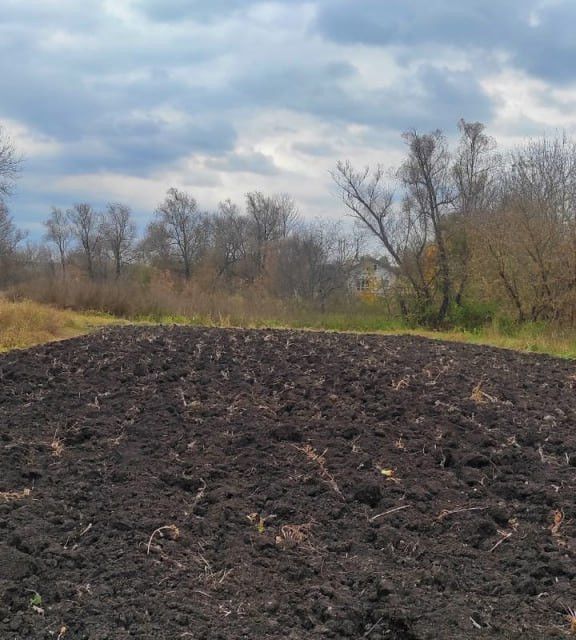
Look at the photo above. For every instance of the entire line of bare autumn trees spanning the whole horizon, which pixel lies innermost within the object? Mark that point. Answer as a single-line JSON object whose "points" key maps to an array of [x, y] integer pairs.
{"points": [[463, 230]]}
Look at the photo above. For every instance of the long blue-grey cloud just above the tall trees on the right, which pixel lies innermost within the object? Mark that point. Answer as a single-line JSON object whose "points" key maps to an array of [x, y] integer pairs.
{"points": [[427, 99]]}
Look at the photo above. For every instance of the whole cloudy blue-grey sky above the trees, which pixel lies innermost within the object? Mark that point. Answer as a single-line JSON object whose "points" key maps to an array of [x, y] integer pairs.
{"points": [[121, 99]]}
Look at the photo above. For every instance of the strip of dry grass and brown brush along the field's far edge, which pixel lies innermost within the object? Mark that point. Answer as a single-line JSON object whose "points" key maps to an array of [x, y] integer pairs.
{"points": [[161, 301]]}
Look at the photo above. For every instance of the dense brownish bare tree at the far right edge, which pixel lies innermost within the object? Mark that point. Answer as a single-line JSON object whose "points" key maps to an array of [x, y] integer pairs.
{"points": [[531, 235]]}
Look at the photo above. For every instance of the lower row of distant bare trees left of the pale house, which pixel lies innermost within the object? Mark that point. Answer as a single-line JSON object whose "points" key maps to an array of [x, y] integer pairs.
{"points": [[268, 244]]}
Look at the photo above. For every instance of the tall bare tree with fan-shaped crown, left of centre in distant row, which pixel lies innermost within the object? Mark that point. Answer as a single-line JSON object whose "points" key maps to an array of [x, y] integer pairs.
{"points": [[185, 225]]}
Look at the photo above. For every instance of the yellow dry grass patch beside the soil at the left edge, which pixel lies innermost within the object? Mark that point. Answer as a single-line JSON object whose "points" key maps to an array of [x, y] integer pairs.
{"points": [[24, 324]]}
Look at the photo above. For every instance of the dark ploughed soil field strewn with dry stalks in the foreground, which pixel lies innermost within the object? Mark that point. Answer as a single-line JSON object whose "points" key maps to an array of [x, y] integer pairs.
{"points": [[315, 485]]}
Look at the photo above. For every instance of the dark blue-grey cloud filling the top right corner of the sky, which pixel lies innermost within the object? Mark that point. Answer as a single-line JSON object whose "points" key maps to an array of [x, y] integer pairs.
{"points": [[545, 48]]}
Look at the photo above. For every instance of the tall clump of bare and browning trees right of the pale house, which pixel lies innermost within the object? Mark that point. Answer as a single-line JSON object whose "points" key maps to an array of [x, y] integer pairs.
{"points": [[473, 225]]}
